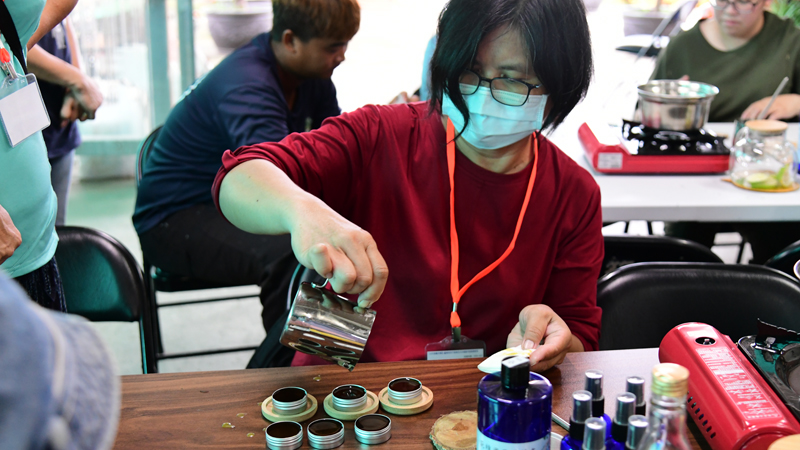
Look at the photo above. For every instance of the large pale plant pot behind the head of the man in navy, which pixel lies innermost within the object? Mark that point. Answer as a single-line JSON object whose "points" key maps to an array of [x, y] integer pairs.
{"points": [[234, 23]]}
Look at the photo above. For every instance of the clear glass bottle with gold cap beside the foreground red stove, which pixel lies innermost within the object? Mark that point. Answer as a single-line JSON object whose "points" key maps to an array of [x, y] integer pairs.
{"points": [[666, 428]]}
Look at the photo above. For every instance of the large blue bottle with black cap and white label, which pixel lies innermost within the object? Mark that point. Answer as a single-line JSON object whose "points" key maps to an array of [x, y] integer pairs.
{"points": [[514, 407]]}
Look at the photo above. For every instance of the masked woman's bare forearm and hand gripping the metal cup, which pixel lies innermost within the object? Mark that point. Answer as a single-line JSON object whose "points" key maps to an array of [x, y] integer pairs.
{"points": [[259, 198]]}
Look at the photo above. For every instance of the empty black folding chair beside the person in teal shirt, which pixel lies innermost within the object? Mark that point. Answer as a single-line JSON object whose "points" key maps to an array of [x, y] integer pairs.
{"points": [[103, 282]]}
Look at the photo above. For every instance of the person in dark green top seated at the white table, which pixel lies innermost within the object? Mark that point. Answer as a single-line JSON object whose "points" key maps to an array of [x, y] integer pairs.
{"points": [[745, 51]]}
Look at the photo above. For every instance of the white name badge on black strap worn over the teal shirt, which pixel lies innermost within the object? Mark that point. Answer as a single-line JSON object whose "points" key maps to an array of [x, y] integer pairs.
{"points": [[22, 108]]}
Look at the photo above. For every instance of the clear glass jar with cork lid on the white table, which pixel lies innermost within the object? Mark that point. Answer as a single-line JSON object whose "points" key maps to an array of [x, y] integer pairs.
{"points": [[762, 159]]}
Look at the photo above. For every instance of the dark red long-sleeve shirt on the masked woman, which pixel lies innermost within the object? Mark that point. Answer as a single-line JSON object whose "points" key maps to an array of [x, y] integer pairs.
{"points": [[385, 169]]}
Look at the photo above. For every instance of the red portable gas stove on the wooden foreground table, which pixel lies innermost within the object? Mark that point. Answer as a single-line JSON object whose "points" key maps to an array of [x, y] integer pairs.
{"points": [[742, 396]]}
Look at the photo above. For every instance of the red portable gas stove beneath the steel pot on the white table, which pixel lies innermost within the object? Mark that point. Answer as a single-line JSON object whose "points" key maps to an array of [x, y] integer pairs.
{"points": [[635, 148]]}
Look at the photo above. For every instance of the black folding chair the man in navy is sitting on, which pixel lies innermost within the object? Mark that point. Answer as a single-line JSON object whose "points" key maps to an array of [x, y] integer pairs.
{"points": [[159, 280]]}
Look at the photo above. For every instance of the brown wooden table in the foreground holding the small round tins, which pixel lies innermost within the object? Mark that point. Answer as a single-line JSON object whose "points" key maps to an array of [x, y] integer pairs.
{"points": [[187, 410]]}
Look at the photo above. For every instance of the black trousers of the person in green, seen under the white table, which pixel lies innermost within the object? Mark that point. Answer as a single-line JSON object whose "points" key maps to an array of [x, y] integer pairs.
{"points": [[766, 239]]}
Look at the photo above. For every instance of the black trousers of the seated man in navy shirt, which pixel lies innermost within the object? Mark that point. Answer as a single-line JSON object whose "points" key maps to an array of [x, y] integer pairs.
{"points": [[198, 242]]}
